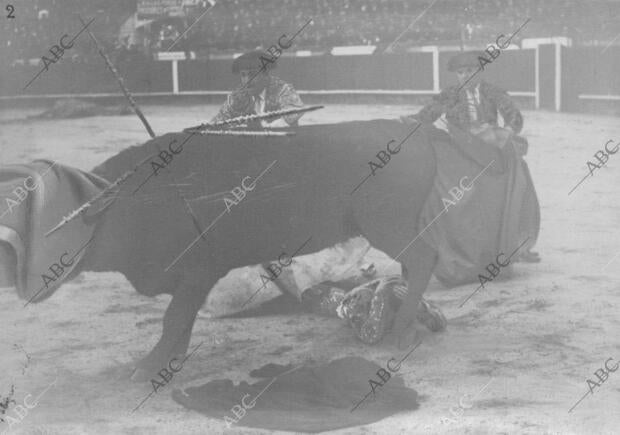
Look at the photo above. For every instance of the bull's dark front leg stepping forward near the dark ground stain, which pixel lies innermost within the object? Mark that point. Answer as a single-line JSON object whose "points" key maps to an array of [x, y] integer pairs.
{"points": [[177, 329]]}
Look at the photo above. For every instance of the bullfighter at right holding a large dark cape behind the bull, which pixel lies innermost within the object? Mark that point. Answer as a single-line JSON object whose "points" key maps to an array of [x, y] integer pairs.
{"points": [[504, 210]]}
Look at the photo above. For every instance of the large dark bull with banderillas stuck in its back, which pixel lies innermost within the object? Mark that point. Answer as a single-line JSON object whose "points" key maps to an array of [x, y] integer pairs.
{"points": [[306, 192]]}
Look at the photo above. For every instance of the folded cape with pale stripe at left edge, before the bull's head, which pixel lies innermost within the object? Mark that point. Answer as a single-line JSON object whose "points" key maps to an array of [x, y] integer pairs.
{"points": [[36, 265]]}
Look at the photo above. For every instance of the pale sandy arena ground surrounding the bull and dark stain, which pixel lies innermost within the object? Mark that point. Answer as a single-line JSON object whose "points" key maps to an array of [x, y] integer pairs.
{"points": [[536, 337]]}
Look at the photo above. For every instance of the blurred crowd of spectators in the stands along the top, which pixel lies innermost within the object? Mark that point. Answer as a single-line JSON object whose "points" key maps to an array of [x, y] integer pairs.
{"points": [[247, 24]]}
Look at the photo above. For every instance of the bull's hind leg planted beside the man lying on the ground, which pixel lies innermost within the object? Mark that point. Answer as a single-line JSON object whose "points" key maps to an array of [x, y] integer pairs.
{"points": [[418, 262]]}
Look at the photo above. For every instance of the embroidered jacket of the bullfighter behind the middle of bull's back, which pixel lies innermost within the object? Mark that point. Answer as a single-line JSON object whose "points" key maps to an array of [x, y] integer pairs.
{"points": [[279, 95]]}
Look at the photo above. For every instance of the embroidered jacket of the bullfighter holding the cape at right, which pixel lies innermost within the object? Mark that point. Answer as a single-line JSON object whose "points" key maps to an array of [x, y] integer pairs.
{"points": [[455, 105]]}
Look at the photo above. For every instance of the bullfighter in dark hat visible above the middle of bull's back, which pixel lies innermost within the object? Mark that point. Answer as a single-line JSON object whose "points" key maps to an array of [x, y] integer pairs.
{"points": [[259, 92]]}
